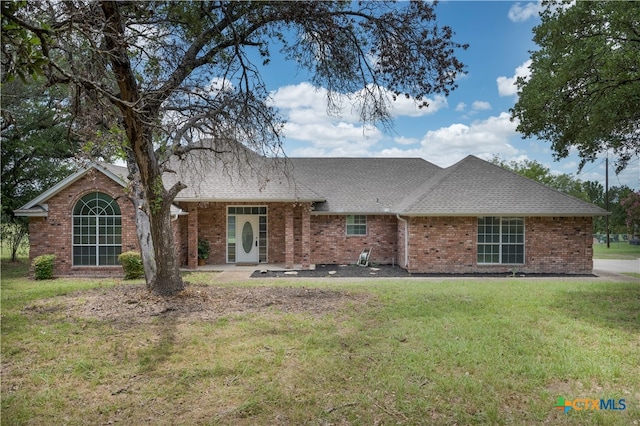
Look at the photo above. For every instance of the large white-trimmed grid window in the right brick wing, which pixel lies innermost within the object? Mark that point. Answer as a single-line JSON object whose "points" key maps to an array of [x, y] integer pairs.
{"points": [[501, 240]]}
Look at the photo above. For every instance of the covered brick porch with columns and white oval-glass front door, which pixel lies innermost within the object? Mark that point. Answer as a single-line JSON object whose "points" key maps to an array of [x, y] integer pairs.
{"points": [[246, 235]]}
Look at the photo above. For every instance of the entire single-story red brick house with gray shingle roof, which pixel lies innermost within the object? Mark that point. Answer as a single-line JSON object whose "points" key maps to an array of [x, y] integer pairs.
{"points": [[472, 217]]}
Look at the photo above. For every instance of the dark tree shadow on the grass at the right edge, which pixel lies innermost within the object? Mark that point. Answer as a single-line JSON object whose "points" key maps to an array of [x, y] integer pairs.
{"points": [[614, 306]]}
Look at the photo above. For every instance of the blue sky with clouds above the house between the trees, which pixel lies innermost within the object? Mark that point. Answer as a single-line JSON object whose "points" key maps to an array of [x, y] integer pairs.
{"points": [[474, 119]]}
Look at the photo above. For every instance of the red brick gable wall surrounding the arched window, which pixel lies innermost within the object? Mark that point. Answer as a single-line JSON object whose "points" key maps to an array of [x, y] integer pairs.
{"points": [[53, 234]]}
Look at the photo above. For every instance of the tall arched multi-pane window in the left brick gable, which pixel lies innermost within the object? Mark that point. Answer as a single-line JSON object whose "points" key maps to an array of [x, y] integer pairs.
{"points": [[97, 231]]}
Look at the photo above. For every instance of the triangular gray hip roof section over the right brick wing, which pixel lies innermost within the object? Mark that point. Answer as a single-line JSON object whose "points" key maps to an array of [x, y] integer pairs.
{"points": [[474, 187]]}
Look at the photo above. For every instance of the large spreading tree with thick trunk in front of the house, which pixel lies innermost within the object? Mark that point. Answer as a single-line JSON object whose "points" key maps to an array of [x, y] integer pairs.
{"points": [[170, 73]]}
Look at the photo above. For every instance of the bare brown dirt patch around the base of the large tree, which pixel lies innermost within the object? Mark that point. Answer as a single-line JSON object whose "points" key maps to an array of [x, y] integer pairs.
{"points": [[134, 304]]}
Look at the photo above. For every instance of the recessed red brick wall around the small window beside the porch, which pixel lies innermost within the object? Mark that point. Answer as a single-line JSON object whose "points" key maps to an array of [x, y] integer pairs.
{"points": [[331, 245]]}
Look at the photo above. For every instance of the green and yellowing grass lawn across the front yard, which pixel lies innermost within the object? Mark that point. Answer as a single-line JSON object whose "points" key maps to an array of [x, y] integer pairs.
{"points": [[414, 352]]}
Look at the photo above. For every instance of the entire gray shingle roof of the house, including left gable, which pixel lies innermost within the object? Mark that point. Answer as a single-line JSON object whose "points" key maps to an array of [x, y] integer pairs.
{"points": [[406, 186]]}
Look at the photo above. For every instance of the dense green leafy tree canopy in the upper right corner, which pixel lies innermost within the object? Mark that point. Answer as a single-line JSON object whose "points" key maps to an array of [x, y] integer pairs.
{"points": [[584, 87]]}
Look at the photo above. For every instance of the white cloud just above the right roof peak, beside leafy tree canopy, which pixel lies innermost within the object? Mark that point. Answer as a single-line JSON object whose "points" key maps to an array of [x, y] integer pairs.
{"points": [[447, 145]]}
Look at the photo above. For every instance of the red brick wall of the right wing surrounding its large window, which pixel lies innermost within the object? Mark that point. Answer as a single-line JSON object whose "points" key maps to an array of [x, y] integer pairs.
{"points": [[552, 245]]}
